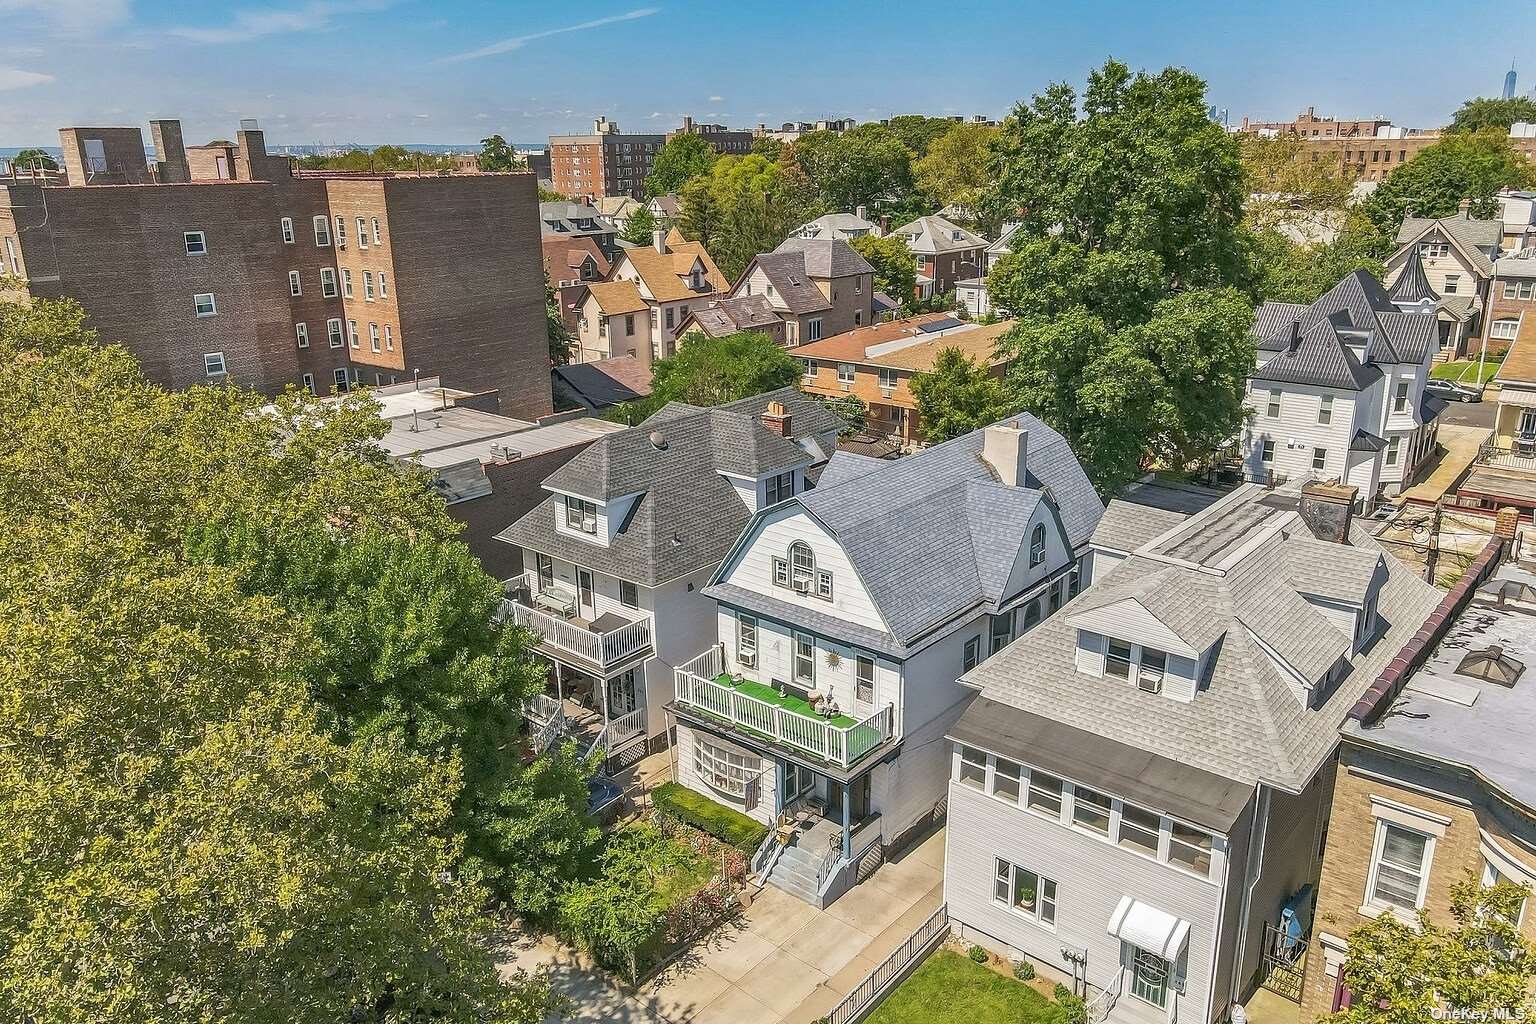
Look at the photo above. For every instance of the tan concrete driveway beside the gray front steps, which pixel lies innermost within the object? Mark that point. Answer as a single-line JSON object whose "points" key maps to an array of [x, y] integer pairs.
{"points": [[786, 962]]}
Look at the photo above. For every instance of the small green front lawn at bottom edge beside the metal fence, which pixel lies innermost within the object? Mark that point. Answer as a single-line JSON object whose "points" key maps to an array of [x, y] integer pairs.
{"points": [[952, 989]]}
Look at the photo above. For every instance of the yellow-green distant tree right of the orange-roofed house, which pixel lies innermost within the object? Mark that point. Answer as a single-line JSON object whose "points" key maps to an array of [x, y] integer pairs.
{"points": [[744, 206]]}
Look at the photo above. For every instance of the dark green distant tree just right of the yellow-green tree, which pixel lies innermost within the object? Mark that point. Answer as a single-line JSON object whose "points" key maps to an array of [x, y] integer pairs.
{"points": [[866, 167]]}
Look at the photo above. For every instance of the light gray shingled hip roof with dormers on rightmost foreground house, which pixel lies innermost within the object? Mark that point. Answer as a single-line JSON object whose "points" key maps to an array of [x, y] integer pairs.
{"points": [[1246, 722]]}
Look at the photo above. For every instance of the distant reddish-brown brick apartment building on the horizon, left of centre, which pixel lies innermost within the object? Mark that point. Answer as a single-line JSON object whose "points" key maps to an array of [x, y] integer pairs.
{"points": [[614, 164]]}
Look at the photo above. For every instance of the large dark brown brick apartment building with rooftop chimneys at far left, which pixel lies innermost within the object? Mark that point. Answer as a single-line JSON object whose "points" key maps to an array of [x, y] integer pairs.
{"points": [[222, 263]]}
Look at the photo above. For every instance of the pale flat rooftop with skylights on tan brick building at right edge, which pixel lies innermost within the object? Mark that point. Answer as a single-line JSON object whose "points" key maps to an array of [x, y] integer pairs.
{"points": [[1460, 709]]}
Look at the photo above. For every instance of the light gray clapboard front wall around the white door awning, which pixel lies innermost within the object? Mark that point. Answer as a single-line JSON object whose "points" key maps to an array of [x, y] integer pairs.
{"points": [[1091, 879]]}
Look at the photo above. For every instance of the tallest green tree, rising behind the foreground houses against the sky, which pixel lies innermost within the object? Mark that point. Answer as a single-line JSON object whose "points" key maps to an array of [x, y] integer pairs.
{"points": [[1133, 276]]}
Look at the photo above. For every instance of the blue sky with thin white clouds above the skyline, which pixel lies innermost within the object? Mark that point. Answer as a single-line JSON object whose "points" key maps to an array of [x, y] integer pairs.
{"points": [[454, 71]]}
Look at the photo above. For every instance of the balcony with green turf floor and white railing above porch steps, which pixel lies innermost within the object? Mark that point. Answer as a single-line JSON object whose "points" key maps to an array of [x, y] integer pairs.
{"points": [[760, 712]]}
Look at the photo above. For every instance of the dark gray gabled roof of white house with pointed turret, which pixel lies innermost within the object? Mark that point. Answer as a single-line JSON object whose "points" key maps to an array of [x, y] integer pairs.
{"points": [[1391, 334]]}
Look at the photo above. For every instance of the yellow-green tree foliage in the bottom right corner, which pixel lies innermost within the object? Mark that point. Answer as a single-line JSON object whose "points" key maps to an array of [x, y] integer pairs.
{"points": [[1481, 965]]}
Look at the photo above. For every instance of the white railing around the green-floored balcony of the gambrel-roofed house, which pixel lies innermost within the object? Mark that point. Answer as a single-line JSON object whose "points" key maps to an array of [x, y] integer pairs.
{"points": [[841, 745]]}
